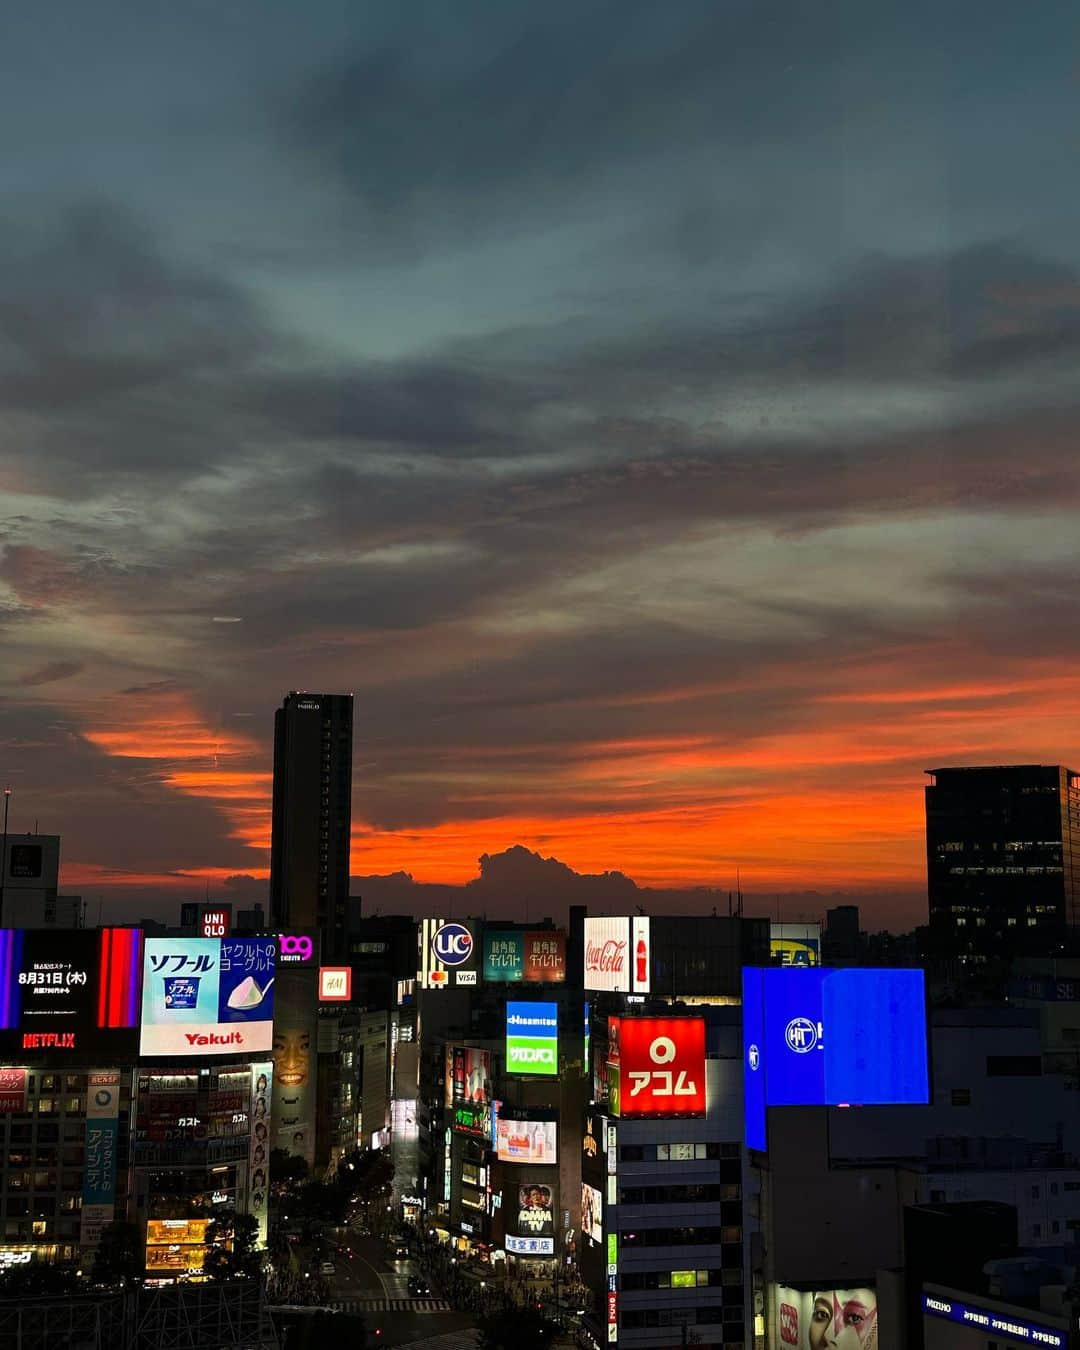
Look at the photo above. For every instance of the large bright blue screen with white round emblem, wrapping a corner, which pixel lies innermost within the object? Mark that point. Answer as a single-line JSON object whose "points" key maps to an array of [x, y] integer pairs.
{"points": [[819, 1037]]}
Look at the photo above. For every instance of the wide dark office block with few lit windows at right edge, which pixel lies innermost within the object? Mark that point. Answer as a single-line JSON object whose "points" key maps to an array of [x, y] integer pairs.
{"points": [[1002, 859]]}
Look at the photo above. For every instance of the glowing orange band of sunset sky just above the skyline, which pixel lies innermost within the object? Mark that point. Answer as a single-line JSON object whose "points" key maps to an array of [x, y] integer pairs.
{"points": [[831, 804]]}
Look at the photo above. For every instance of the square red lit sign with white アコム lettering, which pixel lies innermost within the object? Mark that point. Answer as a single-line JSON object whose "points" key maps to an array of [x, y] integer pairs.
{"points": [[662, 1066]]}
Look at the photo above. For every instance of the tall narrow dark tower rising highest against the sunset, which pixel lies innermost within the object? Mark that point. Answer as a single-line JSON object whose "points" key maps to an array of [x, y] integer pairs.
{"points": [[313, 815]]}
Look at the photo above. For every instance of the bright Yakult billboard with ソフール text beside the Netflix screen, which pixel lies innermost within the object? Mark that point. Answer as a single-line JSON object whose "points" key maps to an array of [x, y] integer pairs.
{"points": [[209, 996]]}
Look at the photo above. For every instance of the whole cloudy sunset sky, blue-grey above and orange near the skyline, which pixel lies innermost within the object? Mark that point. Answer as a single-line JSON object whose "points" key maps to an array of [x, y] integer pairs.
{"points": [[662, 418]]}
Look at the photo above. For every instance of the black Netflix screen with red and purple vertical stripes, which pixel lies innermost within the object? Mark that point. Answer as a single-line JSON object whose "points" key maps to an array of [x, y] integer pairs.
{"points": [[70, 992]]}
